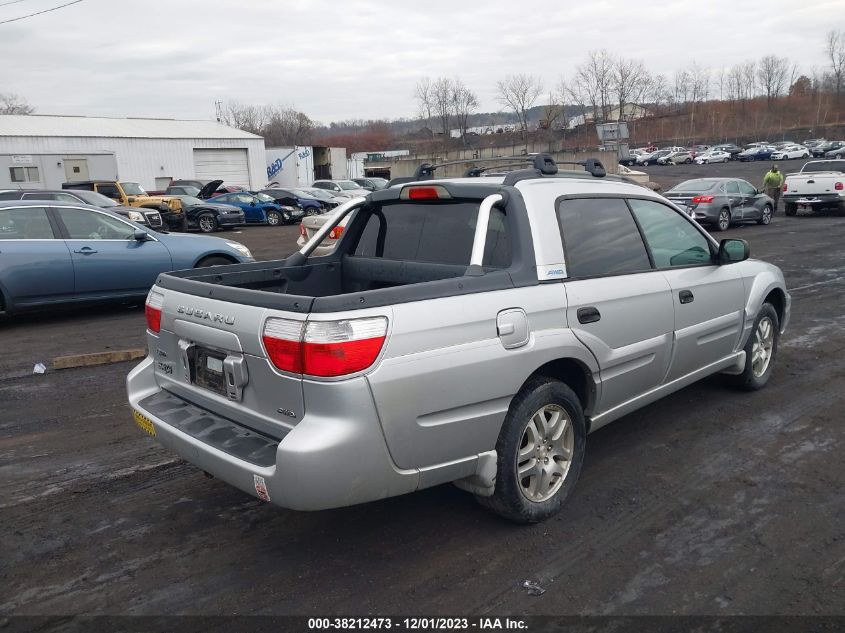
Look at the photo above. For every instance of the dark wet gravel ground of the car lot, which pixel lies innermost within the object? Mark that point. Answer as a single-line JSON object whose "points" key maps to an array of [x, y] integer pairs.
{"points": [[710, 501]]}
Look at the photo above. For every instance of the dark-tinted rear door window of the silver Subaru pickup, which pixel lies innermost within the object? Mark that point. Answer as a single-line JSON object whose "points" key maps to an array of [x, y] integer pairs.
{"points": [[601, 238]]}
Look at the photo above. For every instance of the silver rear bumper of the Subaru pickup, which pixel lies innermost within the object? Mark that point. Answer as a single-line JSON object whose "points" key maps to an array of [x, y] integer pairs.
{"points": [[323, 462]]}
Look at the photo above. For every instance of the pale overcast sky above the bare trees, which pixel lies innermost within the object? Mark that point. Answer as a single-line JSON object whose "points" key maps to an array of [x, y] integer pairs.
{"points": [[343, 59]]}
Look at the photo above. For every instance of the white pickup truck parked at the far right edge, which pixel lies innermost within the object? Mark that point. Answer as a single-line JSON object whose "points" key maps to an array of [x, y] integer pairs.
{"points": [[819, 185]]}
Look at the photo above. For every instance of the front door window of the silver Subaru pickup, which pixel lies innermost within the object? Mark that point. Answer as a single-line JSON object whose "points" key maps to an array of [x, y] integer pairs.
{"points": [[672, 239]]}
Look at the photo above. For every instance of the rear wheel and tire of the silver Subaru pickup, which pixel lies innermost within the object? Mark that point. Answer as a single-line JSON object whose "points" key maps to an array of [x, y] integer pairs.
{"points": [[531, 414]]}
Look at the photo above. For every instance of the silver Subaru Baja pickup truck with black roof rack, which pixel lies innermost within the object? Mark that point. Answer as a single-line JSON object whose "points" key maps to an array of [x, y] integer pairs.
{"points": [[470, 330]]}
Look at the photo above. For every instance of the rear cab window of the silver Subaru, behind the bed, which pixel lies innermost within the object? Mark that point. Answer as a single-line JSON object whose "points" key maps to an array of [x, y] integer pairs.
{"points": [[433, 233]]}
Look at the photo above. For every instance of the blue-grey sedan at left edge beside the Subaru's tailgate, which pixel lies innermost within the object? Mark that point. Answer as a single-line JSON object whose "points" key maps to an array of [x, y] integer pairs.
{"points": [[64, 252]]}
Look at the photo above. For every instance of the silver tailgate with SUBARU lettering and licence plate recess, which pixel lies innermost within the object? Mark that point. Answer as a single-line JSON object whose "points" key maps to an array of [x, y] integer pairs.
{"points": [[210, 353]]}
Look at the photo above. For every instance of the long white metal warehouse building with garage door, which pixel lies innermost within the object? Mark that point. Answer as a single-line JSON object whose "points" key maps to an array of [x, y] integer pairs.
{"points": [[42, 152]]}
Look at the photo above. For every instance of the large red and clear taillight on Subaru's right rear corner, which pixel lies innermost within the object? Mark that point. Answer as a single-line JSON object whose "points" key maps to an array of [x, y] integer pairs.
{"points": [[324, 348]]}
